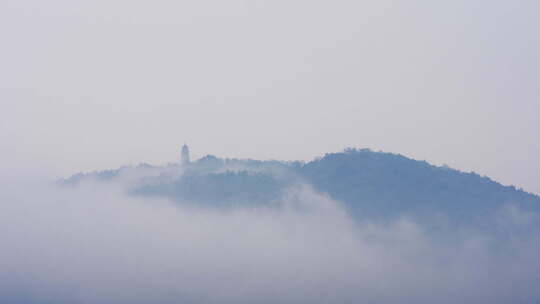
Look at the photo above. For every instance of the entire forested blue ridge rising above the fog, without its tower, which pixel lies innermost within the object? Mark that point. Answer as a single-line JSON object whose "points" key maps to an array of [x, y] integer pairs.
{"points": [[374, 184]]}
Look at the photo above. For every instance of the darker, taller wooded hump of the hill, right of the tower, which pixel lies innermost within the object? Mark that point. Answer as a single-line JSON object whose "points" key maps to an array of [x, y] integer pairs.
{"points": [[377, 183]]}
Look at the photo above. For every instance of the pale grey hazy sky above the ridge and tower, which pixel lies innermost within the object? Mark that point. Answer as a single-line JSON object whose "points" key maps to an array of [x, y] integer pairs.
{"points": [[96, 84]]}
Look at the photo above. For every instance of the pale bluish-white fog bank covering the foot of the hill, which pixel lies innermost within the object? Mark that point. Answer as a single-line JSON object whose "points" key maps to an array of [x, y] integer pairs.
{"points": [[94, 244]]}
